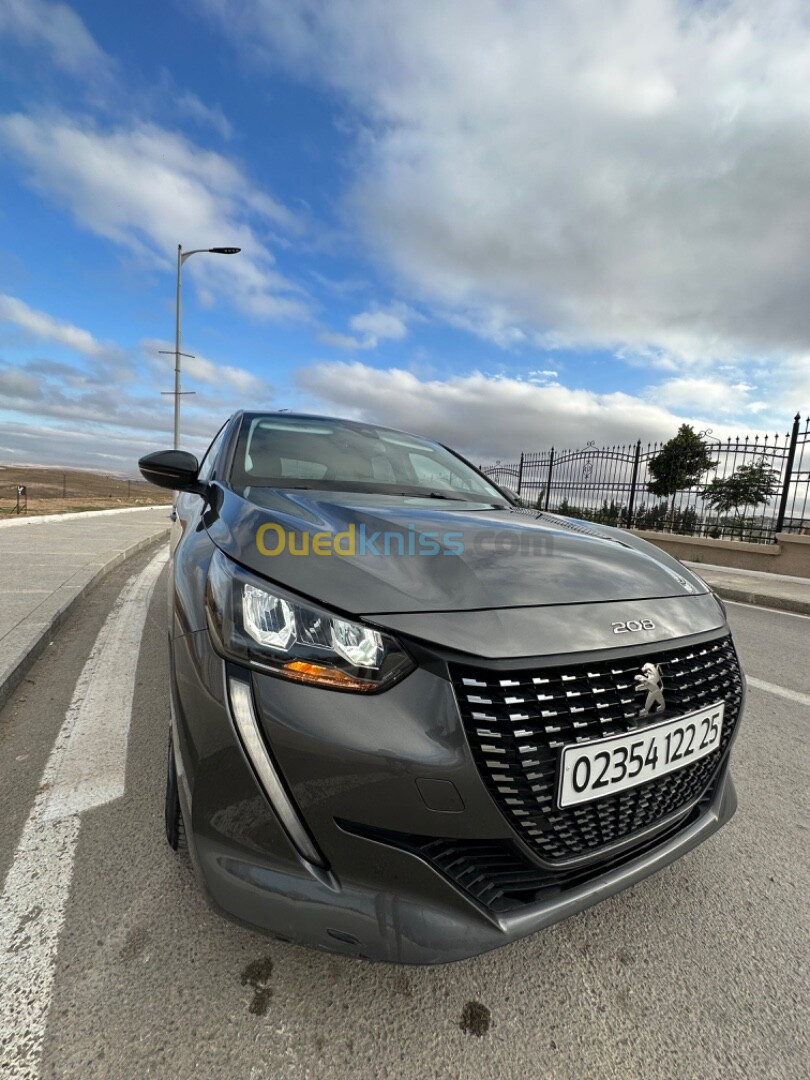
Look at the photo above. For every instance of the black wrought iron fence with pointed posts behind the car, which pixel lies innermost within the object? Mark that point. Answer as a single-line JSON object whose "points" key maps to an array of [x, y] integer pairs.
{"points": [[611, 485]]}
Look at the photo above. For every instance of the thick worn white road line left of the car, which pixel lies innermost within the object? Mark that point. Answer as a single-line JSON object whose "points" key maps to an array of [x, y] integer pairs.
{"points": [[86, 768]]}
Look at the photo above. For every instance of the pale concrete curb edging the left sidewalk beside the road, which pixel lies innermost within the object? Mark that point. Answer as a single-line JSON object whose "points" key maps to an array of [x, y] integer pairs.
{"points": [[34, 634]]}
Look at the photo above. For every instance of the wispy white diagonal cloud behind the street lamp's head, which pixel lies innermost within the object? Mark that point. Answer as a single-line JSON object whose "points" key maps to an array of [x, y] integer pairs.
{"points": [[146, 188]]}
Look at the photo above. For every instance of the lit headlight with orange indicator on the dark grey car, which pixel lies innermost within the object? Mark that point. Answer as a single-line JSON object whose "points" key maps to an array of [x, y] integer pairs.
{"points": [[260, 625]]}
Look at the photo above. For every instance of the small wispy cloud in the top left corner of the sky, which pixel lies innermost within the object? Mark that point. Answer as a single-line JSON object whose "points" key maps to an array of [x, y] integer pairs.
{"points": [[57, 30]]}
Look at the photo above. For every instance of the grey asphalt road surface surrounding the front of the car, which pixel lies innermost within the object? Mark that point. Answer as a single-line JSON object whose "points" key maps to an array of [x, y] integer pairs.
{"points": [[113, 966]]}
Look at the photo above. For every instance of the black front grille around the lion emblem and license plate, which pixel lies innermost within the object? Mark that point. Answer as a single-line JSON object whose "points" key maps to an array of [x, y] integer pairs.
{"points": [[519, 721]]}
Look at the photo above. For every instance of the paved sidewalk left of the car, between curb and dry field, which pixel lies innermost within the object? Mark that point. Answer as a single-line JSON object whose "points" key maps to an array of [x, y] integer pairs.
{"points": [[48, 563]]}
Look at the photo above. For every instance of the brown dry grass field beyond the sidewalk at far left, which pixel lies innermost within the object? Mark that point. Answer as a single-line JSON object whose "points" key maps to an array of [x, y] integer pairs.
{"points": [[52, 491]]}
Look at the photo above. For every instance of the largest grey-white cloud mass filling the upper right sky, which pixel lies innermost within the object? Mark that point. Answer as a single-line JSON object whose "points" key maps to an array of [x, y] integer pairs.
{"points": [[630, 173]]}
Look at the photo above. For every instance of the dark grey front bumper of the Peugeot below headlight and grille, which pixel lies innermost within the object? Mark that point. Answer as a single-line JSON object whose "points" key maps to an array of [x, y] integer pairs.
{"points": [[373, 763]]}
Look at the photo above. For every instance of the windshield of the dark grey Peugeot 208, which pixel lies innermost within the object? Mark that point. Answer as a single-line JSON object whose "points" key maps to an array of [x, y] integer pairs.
{"points": [[306, 453]]}
